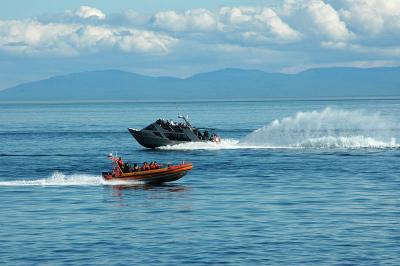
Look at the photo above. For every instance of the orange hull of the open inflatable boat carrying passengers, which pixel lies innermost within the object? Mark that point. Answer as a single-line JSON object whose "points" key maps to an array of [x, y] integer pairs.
{"points": [[156, 176]]}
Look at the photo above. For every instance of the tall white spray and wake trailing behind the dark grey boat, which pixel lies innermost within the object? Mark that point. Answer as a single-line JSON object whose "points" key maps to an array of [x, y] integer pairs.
{"points": [[329, 128]]}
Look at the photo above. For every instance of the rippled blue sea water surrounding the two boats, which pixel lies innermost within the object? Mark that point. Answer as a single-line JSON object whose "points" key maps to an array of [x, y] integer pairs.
{"points": [[312, 182]]}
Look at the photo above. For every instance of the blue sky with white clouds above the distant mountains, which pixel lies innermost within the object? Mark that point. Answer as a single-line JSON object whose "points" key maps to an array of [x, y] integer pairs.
{"points": [[43, 38]]}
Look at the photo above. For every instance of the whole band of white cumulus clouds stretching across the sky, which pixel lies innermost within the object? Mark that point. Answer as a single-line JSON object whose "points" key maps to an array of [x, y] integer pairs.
{"points": [[342, 26]]}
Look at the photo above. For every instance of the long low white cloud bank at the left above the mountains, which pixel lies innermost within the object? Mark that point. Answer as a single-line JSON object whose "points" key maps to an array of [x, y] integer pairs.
{"points": [[32, 37]]}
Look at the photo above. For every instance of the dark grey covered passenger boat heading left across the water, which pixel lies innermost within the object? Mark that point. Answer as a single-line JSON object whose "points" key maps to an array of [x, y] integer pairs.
{"points": [[165, 132]]}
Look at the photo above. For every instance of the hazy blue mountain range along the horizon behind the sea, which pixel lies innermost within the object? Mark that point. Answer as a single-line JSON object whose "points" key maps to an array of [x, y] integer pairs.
{"points": [[221, 84]]}
